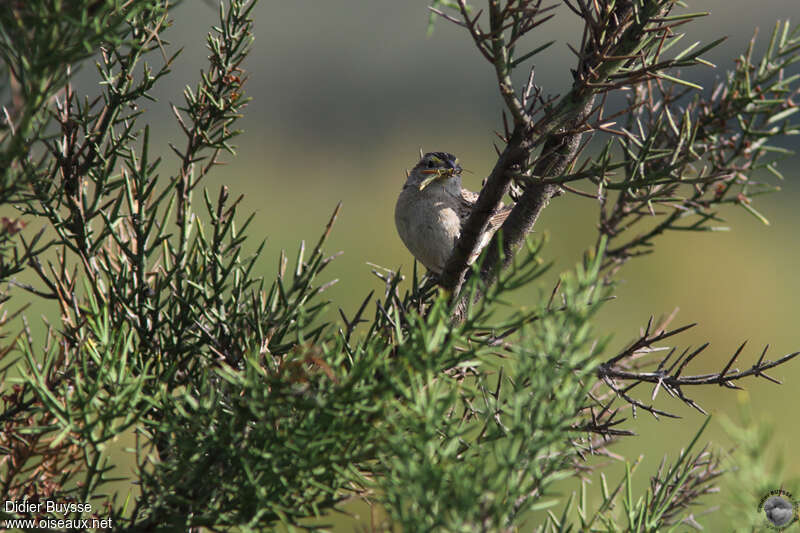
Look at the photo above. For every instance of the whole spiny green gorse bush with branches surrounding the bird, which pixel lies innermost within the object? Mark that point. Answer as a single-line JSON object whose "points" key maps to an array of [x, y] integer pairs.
{"points": [[435, 401]]}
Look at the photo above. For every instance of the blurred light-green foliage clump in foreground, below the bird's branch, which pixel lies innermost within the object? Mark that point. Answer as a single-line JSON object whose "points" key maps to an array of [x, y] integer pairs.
{"points": [[478, 447]]}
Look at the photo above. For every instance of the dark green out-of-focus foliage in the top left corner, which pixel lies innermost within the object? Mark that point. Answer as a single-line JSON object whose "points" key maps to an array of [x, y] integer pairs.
{"points": [[39, 42]]}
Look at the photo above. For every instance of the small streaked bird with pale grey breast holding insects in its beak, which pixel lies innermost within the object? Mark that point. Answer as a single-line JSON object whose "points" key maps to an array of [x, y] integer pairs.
{"points": [[433, 207]]}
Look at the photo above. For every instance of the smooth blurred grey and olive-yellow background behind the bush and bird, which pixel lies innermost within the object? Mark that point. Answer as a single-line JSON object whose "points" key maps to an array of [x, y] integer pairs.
{"points": [[344, 95]]}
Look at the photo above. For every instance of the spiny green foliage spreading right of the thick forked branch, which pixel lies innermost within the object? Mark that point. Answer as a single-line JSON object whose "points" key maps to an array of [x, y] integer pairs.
{"points": [[687, 159]]}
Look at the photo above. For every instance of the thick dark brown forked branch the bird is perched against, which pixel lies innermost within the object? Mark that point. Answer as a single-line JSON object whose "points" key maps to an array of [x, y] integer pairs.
{"points": [[558, 132]]}
